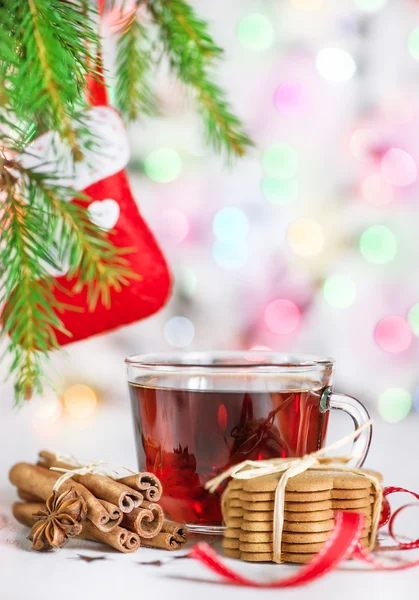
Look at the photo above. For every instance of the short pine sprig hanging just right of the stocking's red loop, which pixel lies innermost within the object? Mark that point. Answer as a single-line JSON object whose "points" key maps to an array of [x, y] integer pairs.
{"points": [[132, 92]]}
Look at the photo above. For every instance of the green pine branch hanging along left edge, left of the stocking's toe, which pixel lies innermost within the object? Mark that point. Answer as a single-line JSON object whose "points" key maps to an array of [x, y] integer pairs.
{"points": [[30, 317]]}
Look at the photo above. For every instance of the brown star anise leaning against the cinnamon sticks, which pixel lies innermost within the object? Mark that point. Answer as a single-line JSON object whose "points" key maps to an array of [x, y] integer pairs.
{"points": [[62, 518]]}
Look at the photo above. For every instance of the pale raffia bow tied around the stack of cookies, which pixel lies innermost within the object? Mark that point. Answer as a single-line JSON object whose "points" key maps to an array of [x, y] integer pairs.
{"points": [[290, 467]]}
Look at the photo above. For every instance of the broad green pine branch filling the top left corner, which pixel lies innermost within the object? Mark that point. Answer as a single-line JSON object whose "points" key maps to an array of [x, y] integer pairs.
{"points": [[47, 75]]}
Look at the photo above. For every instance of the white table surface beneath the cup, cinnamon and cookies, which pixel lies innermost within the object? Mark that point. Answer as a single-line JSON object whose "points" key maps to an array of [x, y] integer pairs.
{"points": [[61, 575]]}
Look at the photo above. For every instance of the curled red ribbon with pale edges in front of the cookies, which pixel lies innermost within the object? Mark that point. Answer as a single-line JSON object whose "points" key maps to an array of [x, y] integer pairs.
{"points": [[343, 543]]}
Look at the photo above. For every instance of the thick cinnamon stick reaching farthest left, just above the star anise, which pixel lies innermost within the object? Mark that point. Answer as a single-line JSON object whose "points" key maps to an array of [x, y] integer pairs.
{"points": [[36, 482]]}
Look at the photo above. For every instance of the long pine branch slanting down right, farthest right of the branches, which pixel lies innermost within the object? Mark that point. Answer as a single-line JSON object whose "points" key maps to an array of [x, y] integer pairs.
{"points": [[192, 54]]}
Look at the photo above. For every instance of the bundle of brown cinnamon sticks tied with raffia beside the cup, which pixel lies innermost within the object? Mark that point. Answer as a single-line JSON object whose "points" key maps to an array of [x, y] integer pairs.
{"points": [[123, 513]]}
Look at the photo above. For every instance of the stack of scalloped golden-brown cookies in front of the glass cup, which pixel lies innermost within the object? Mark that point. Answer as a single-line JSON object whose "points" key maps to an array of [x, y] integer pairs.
{"points": [[310, 499]]}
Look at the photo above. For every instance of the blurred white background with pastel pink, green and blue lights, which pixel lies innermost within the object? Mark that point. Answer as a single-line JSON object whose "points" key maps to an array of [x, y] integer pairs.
{"points": [[310, 243]]}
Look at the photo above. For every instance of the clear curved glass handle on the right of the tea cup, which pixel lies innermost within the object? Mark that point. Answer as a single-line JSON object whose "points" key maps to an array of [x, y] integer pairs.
{"points": [[359, 415]]}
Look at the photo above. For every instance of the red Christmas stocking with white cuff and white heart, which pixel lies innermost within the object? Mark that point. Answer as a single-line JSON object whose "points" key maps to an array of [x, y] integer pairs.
{"points": [[102, 177]]}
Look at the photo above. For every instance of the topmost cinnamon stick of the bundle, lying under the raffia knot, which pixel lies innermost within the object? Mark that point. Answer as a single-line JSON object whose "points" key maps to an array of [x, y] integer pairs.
{"points": [[101, 486]]}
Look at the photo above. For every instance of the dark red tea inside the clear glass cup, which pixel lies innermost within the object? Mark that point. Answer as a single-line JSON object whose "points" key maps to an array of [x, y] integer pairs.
{"points": [[186, 437]]}
